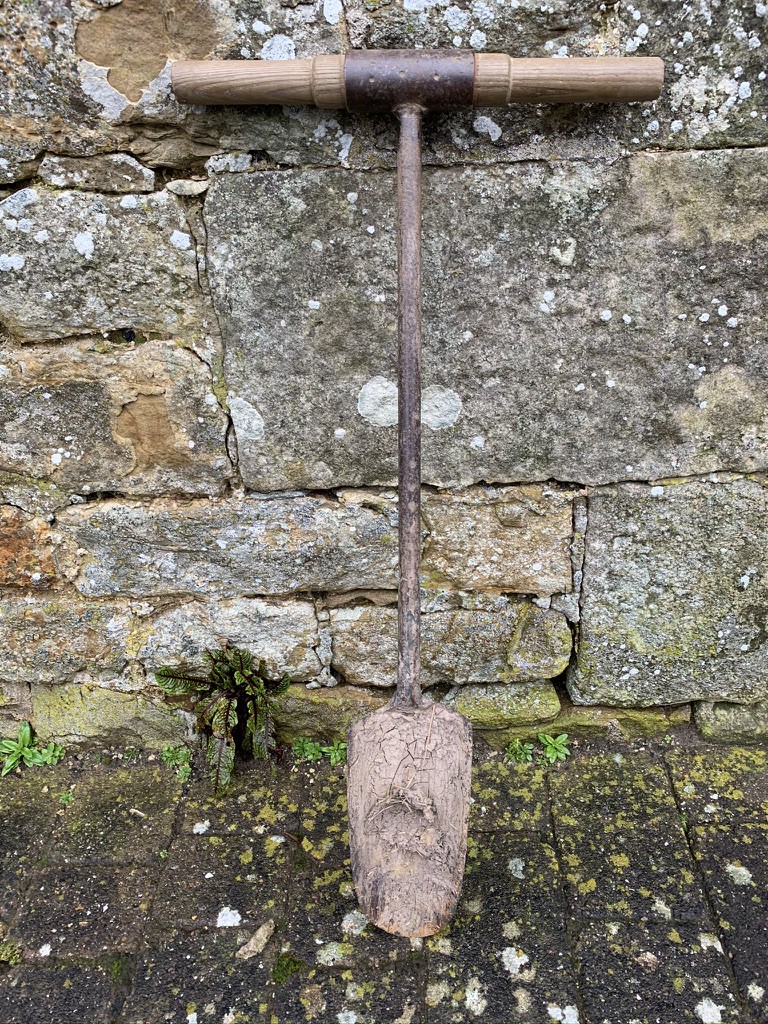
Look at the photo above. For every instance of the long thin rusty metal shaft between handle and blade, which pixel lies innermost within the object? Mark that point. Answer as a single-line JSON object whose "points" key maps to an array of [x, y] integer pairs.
{"points": [[409, 413]]}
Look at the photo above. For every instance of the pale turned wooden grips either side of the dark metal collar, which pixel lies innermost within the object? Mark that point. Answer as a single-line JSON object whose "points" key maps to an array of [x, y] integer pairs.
{"points": [[498, 80]]}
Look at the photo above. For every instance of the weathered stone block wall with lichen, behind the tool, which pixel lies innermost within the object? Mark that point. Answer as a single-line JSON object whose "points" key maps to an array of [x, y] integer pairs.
{"points": [[197, 320]]}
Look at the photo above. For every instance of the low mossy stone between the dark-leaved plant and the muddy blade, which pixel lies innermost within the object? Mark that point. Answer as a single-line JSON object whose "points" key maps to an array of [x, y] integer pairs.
{"points": [[325, 713]]}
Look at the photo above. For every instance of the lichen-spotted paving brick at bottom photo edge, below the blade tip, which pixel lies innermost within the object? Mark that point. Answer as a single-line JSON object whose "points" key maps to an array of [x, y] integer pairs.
{"points": [[364, 995]]}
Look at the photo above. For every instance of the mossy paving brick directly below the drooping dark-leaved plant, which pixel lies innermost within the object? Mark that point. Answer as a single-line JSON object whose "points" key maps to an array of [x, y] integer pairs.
{"points": [[263, 799]]}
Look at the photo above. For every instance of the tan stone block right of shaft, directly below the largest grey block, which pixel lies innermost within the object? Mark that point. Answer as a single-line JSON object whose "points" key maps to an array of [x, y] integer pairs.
{"points": [[509, 539]]}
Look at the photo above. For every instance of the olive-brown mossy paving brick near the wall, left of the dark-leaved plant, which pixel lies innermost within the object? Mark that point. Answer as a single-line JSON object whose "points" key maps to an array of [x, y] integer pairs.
{"points": [[119, 817]]}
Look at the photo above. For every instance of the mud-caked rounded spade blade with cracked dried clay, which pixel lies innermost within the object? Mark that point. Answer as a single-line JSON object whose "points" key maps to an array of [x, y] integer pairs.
{"points": [[408, 790]]}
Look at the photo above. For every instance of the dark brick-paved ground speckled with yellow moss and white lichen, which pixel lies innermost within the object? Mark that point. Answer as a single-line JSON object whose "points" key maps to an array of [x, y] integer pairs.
{"points": [[626, 886]]}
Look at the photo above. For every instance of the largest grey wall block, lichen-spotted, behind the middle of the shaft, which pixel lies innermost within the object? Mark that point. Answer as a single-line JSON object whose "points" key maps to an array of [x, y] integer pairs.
{"points": [[592, 366]]}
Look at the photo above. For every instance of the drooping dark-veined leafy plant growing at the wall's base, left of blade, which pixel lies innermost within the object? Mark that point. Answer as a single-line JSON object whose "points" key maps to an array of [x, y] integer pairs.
{"points": [[232, 692]]}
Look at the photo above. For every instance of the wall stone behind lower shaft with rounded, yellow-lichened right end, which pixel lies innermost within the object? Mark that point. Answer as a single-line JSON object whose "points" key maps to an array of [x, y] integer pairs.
{"points": [[515, 643]]}
